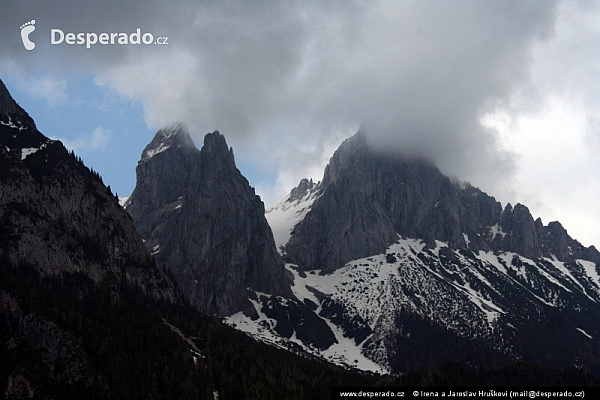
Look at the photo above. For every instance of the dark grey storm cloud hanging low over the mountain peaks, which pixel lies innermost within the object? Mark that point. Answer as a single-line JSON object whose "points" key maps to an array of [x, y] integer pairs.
{"points": [[275, 75]]}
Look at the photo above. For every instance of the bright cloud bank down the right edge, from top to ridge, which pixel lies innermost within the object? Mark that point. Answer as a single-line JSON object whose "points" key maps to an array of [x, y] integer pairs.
{"points": [[551, 125]]}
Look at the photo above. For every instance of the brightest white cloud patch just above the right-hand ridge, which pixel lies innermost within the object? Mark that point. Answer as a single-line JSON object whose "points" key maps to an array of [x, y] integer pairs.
{"points": [[557, 176]]}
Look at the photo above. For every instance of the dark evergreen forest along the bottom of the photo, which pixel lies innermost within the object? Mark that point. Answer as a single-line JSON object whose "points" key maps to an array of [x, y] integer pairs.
{"points": [[138, 356]]}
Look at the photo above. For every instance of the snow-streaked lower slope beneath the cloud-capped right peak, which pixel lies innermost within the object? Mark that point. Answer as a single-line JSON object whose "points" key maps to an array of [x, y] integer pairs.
{"points": [[498, 301]]}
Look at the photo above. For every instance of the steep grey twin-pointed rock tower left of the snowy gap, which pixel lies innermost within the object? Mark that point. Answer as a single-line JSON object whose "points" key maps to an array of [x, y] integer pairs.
{"points": [[204, 222]]}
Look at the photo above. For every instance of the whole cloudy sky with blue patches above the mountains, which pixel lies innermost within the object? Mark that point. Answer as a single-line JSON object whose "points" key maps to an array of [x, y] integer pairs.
{"points": [[502, 94]]}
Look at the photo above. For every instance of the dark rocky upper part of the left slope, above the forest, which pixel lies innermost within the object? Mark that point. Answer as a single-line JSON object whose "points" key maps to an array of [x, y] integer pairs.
{"points": [[57, 215]]}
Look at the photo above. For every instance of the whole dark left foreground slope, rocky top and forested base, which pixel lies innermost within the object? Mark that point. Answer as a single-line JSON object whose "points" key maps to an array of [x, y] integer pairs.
{"points": [[85, 312]]}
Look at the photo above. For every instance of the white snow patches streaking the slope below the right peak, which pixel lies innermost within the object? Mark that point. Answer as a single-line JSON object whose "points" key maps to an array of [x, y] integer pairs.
{"points": [[457, 289]]}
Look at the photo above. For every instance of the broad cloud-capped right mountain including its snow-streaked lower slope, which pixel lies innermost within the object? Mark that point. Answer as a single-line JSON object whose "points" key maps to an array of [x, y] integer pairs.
{"points": [[408, 267]]}
